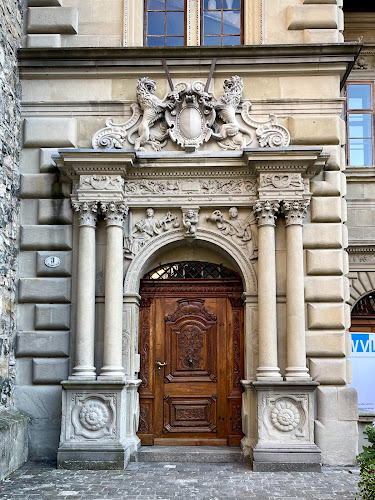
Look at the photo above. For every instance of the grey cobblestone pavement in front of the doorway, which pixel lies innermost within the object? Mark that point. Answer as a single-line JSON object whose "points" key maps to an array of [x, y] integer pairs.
{"points": [[182, 481]]}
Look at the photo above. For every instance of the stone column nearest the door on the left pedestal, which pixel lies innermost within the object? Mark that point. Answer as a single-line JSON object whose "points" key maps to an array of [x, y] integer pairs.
{"points": [[112, 351]]}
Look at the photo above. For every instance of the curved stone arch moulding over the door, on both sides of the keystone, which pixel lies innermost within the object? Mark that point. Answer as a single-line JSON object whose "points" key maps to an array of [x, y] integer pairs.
{"points": [[138, 266]]}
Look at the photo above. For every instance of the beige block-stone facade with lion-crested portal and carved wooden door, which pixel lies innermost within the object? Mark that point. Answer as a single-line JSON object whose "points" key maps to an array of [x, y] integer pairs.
{"points": [[182, 263]]}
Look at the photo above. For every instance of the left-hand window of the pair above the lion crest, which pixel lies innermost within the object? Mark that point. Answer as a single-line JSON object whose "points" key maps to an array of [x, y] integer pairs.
{"points": [[165, 22]]}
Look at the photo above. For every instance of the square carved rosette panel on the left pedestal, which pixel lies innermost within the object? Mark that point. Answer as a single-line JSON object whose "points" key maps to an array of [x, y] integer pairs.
{"points": [[93, 416]]}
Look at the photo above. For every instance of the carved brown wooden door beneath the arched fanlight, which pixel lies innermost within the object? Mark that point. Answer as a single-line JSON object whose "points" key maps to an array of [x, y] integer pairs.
{"points": [[191, 347]]}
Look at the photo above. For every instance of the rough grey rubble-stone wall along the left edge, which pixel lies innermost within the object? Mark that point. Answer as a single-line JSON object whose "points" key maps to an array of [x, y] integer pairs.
{"points": [[10, 37]]}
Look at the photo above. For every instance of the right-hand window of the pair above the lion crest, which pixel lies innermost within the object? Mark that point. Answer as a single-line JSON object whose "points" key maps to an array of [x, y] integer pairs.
{"points": [[222, 22]]}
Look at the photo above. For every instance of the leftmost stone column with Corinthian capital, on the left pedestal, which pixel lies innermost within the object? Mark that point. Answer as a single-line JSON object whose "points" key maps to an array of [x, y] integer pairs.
{"points": [[85, 328]]}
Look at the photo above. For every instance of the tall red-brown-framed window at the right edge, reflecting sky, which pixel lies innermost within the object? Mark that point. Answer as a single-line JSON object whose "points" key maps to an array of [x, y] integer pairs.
{"points": [[360, 124]]}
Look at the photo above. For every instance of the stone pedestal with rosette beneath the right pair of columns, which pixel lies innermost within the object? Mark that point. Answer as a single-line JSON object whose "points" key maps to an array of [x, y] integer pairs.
{"points": [[286, 427]]}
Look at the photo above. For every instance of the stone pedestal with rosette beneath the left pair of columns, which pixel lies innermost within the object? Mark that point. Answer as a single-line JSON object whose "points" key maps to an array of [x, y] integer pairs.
{"points": [[93, 428]]}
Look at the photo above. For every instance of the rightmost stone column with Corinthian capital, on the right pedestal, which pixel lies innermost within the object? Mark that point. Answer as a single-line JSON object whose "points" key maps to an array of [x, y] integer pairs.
{"points": [[294, 212]]}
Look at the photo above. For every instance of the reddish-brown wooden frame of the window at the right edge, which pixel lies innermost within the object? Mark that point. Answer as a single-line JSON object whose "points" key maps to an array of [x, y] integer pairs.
{"points": [[370, 111]]}
